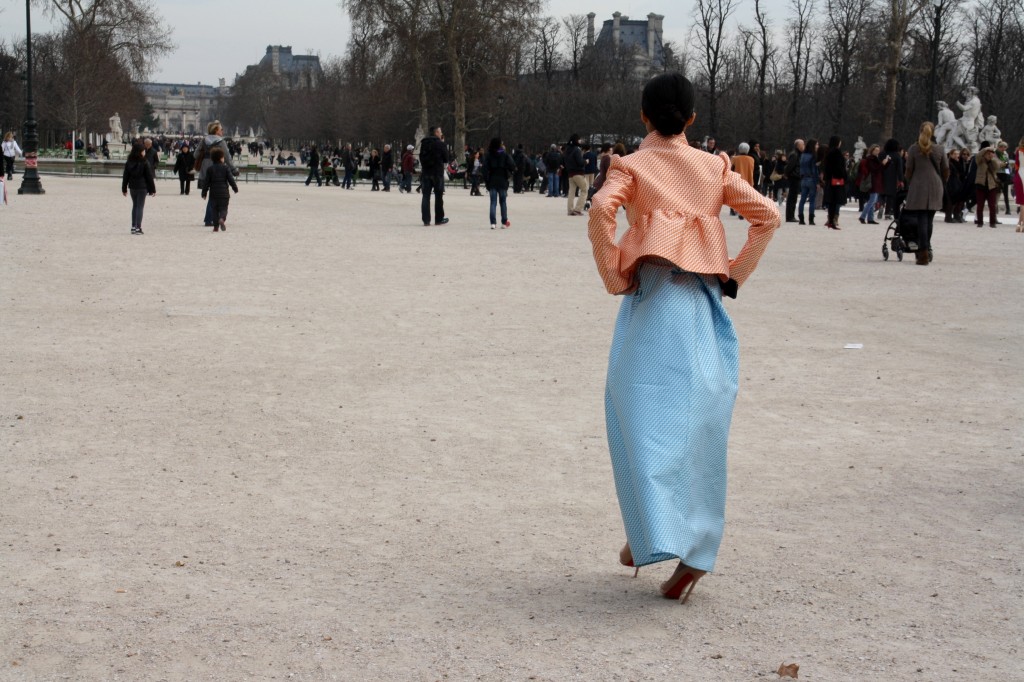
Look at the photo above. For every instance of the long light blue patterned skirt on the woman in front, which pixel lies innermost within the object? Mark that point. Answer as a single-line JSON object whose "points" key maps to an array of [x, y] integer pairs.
{"points": [[672, 386]]}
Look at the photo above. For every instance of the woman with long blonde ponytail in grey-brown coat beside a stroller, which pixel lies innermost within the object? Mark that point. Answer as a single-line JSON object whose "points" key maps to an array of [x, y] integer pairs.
{"points": [[927, 170]]}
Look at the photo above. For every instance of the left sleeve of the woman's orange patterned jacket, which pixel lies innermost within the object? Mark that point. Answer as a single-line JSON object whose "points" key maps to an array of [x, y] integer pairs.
{"points": [[619, 189]]}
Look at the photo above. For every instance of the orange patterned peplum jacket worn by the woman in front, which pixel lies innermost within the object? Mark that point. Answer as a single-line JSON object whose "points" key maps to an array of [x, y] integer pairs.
{"points": [[673, 196]]}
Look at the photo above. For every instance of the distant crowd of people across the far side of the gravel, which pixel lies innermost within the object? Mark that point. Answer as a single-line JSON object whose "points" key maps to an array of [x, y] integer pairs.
{"points": [[884, 179]]}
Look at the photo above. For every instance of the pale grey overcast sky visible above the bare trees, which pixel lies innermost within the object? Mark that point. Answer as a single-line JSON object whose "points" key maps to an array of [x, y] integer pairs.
{"points": [[222, 42]]}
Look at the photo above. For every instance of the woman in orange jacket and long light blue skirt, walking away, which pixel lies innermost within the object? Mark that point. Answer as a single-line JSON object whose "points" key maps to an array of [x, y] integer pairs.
{"points": [[673, 369]]}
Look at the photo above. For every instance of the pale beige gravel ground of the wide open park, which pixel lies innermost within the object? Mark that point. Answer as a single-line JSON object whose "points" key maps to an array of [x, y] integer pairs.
{"points": [[335, 445]]}
